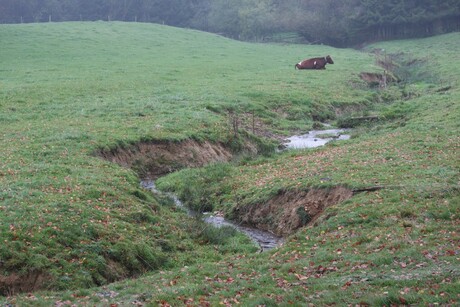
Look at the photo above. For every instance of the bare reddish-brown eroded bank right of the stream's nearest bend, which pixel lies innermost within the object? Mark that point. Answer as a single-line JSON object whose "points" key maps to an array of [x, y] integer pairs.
{"points": [[291, 210]]}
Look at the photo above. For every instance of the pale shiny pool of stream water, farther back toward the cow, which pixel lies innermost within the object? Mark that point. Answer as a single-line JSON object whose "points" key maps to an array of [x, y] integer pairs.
{"points": [[315, 138]]}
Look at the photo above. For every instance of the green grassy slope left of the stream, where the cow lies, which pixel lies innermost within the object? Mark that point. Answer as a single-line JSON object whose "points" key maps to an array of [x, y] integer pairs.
{"points": [[70, 89]]}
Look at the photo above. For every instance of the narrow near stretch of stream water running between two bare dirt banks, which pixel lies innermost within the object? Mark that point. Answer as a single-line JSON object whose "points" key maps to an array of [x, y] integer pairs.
{"points": [[266, 240]]}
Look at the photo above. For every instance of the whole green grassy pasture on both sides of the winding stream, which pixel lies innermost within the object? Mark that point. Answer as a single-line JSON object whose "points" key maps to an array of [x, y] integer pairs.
{"points": [[75, 223]]}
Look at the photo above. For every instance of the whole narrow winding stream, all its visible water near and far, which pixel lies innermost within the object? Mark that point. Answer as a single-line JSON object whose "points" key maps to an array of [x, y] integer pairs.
{"points": [[266, 240]]}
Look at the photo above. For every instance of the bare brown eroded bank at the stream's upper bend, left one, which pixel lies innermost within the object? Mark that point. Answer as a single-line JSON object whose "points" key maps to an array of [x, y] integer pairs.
{"points": [[156, 158]]}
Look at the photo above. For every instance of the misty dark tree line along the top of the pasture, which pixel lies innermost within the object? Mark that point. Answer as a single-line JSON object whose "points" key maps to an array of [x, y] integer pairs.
{"points": [[333, 22]]}
